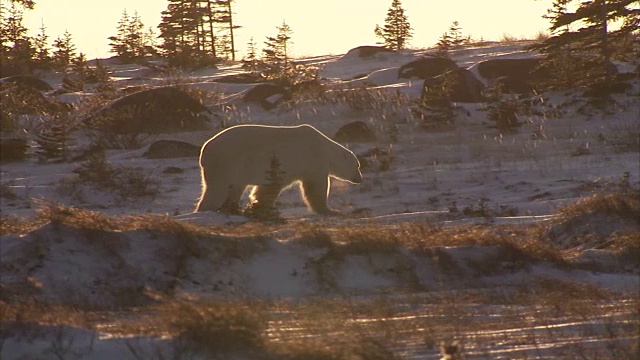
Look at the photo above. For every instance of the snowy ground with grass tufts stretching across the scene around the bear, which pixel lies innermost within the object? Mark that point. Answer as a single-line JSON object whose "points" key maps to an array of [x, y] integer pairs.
{"points": [[462, 178]]}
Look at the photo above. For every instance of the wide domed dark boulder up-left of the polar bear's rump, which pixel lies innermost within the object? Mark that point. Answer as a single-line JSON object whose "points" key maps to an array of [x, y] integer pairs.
{"points": [[165, 109]]}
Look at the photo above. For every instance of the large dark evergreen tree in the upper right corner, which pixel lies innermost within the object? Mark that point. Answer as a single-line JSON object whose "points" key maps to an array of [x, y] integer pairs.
{"points": [[581, 57]]}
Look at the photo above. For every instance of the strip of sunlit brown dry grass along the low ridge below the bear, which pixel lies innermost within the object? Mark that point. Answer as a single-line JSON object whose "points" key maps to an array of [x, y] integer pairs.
{"points": [[519, 244]]}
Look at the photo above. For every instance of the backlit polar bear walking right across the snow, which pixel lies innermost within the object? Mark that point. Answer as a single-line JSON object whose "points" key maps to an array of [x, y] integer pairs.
{"points": [[242, 156]]}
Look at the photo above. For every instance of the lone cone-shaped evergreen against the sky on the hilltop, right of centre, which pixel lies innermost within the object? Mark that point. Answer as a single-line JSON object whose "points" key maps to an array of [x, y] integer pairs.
{"points": [[396, 30]]}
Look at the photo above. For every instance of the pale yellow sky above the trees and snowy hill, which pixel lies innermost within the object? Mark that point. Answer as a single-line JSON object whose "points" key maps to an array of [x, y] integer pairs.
{"points": [[329, 27]]}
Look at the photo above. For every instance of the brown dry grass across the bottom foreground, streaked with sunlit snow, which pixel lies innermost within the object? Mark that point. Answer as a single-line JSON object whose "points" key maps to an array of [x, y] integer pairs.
{"points": [[369, 328]]}
